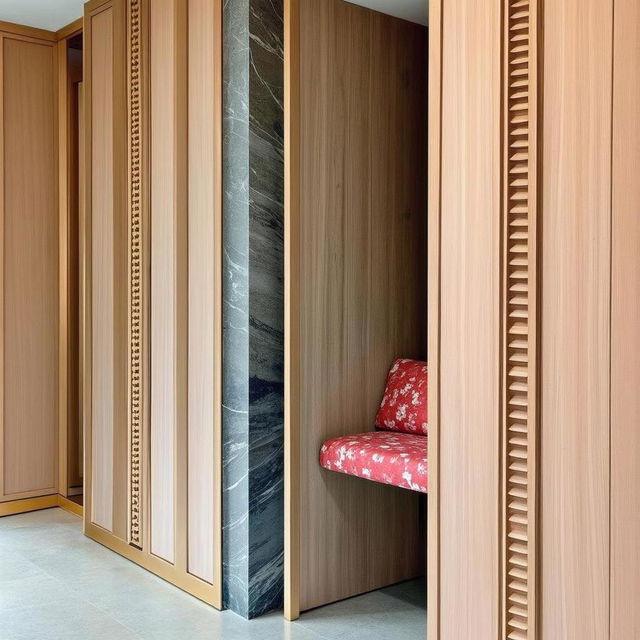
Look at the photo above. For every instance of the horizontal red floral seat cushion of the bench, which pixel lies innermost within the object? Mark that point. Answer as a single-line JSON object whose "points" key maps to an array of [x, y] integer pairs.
{"points": [[382, 456]]}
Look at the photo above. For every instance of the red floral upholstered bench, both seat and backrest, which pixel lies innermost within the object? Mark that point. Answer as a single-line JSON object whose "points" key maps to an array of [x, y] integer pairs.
{"points": [[396, 453]]}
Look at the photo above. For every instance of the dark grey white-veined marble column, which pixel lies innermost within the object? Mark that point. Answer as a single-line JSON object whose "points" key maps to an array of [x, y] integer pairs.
{"points": [[253, 362]]}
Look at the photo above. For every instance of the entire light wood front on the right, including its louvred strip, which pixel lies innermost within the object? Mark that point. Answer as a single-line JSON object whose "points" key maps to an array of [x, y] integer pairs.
{"points": [[534, 332]]}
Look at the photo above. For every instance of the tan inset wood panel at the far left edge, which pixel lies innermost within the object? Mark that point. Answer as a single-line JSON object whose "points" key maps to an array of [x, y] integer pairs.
{"points": [[30, 263]]}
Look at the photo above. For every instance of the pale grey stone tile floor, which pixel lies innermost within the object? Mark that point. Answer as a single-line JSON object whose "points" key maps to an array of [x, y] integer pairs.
{"points": [[57, 584]]}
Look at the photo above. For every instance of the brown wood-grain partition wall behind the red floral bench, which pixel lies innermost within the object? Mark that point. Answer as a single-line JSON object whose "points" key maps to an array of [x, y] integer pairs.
{"points": [[356, 285]]}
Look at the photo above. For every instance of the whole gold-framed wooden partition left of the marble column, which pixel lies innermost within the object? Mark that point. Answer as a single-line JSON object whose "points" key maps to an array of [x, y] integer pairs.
{"points": [[153, 285]]}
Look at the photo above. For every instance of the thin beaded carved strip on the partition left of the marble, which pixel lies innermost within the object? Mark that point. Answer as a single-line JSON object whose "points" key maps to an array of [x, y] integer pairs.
{"points": [[136, 344]]}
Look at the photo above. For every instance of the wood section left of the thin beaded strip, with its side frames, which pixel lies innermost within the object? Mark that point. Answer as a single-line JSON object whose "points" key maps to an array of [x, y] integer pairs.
{"points": [[105, 233]]}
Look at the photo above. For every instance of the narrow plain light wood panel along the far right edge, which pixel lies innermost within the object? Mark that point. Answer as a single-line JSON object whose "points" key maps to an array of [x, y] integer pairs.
{"points": [[625, 326]]}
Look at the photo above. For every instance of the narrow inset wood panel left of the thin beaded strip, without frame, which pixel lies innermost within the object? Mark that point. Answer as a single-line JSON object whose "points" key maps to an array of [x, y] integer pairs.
{"points": [[102, 257]]}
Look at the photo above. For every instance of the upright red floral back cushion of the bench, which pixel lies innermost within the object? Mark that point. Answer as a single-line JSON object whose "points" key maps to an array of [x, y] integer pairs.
{"points": [[404, 405]]}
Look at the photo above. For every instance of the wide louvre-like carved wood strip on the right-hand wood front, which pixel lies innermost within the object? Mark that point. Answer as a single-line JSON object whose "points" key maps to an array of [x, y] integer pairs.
{"points": [[519, 319]]}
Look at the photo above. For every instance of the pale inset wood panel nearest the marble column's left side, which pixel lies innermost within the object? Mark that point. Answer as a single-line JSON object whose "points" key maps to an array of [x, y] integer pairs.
{"points": [[203, 255]]}
